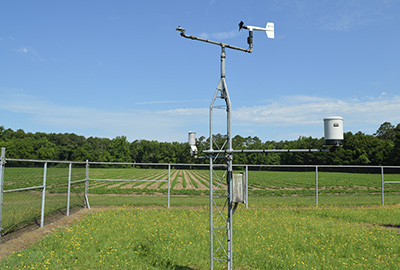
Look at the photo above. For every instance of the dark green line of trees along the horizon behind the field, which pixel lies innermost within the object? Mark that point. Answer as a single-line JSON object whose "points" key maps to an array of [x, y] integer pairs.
{"points": [[381, 148]]}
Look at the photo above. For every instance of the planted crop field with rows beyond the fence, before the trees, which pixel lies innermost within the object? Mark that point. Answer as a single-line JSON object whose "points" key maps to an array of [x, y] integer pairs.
{"points": [[197, 181]]}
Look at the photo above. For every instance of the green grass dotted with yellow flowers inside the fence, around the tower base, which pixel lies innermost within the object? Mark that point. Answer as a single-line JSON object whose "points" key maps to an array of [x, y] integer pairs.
{"points": [[280, 238]]}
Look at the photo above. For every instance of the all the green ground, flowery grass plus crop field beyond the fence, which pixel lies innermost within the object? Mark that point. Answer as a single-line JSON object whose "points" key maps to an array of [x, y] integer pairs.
{"points": [[282, 229]]}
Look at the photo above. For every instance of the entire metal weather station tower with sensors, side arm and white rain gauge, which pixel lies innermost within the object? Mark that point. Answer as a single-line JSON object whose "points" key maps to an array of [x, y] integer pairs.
{"points": [[228, 190]]}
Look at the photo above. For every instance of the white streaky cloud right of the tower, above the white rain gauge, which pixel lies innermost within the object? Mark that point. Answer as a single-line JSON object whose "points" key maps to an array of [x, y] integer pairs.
{"points": [[311, 110]]}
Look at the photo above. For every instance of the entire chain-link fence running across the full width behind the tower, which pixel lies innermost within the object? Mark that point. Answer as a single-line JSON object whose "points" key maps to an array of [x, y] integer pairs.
{"points": [[34, 190]]}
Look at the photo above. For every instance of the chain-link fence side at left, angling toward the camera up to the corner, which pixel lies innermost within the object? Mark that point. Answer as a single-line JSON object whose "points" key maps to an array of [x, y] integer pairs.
{"points": [[32, 190]]}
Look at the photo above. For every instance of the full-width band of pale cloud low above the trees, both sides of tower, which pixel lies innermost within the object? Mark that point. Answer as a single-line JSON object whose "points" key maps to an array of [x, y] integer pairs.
{"points": [[302, 115]]}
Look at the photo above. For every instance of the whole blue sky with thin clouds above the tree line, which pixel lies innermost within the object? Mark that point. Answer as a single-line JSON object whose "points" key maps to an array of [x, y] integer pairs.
{"points": [[113, 68]]}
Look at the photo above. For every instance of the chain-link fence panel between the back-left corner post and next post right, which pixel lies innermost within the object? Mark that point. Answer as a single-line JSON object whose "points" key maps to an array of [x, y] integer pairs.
{"points": [[124, 183]]}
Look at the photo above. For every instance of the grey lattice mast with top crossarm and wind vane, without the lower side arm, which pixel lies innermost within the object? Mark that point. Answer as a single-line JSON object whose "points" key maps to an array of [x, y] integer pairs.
{"points": [[221, 229]]}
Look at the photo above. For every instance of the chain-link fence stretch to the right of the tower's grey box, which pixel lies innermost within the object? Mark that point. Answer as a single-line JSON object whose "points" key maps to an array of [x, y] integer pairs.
{"points": [[323, 184]]}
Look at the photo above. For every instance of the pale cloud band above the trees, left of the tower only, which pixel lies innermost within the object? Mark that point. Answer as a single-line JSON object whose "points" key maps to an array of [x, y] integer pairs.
{"points": [[163, 125]]}
